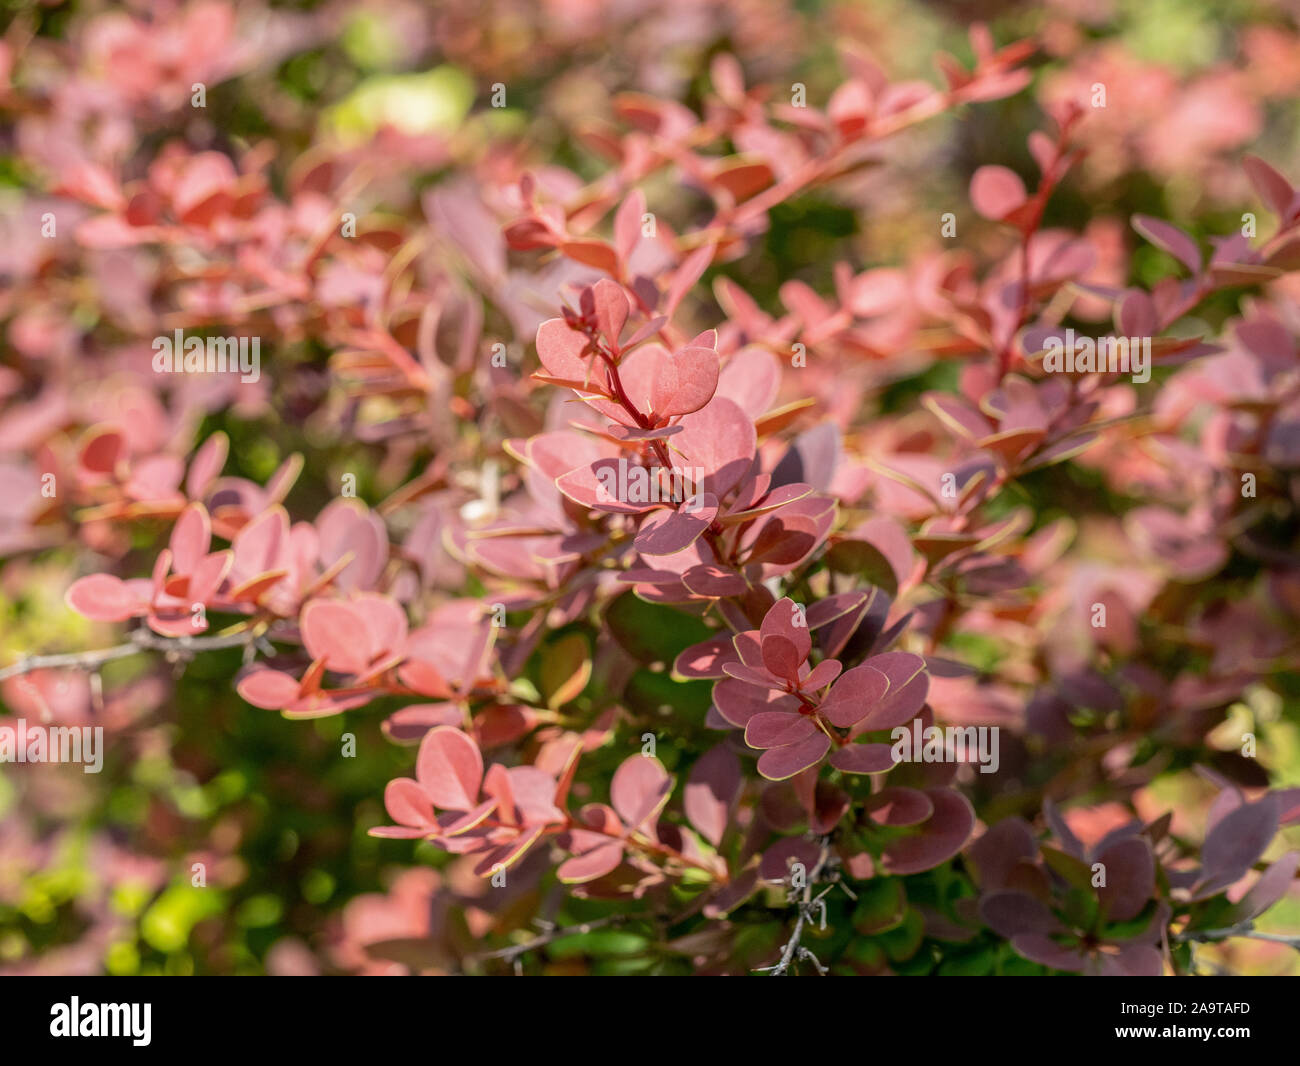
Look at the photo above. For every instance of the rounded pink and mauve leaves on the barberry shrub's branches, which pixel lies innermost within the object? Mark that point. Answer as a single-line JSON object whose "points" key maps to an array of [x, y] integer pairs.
{"points": [[664, 400]]}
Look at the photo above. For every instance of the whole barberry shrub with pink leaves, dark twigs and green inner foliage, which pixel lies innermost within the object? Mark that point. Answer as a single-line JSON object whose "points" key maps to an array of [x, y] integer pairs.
{"points": [[727, 608]]}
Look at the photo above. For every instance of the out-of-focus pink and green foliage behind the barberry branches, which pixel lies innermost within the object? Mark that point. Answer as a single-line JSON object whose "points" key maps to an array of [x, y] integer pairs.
{"points": [[96, 870]]}
